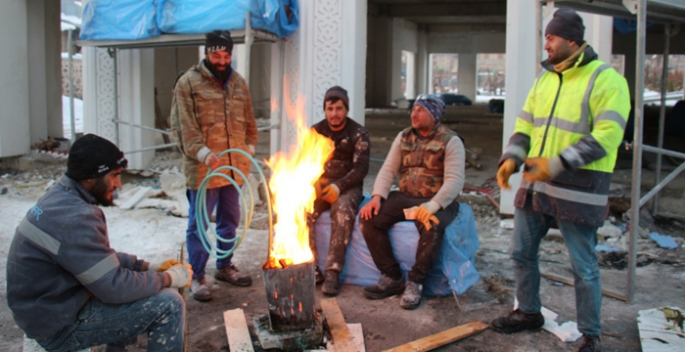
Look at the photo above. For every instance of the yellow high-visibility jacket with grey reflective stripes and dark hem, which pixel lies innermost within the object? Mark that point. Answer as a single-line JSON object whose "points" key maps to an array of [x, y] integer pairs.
{"points": [[578, 116]]}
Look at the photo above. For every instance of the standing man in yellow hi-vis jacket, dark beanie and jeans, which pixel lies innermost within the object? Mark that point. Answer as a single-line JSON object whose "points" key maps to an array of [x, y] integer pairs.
{"points": [[567, 136]]}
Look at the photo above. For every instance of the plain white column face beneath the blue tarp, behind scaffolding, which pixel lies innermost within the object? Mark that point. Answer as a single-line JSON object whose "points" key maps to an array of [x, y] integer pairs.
{"points": [[136, 91]]}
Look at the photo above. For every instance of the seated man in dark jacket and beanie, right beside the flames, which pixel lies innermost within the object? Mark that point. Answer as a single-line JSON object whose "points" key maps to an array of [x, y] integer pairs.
{"points": [[341, 183]]}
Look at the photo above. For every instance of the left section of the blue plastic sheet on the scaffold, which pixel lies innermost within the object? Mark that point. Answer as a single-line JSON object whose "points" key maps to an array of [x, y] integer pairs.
{"points": [[119, 20]]}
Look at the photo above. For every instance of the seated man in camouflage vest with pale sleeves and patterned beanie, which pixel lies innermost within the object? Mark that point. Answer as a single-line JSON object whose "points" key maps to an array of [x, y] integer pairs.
{"points": [[429, 159]]}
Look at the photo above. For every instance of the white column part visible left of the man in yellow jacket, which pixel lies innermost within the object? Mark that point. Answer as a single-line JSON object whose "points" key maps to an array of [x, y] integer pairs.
{"points": [[521, 71]]}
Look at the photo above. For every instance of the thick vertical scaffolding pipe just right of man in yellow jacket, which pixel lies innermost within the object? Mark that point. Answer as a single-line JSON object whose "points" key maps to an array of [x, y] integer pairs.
{"points": [[637, 143]]}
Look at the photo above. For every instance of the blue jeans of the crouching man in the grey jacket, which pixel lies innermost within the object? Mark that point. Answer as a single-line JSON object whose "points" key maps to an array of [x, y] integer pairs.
{"points": [[162, 316]]}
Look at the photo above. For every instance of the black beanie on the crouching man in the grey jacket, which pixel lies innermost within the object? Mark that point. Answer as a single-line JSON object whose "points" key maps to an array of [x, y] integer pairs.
{"points": [[92, 156]]}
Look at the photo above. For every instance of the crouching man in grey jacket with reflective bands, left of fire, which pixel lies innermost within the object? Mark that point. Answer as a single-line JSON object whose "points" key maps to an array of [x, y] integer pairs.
{"points": [[67, 288]]}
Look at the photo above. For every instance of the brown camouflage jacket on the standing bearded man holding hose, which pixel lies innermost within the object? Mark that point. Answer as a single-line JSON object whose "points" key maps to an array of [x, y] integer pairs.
{"points": [[212, 119]]}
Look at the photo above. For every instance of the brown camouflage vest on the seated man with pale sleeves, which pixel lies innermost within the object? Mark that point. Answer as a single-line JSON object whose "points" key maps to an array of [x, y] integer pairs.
{"points": [[423, 161]]}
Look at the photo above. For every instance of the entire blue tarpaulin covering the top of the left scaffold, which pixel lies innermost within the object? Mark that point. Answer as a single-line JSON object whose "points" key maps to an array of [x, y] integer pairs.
{"points": [[139, 19]]}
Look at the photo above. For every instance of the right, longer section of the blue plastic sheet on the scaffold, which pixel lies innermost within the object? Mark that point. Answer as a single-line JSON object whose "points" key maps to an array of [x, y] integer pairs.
{"points": [[202, 16]]}
